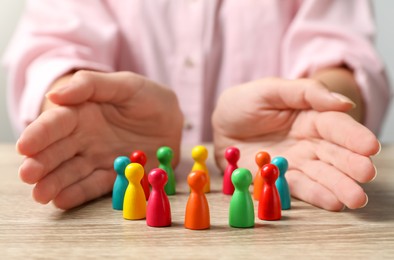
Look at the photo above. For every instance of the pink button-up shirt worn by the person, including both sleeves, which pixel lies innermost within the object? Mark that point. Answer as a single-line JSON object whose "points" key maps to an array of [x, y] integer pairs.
{"points": [[195, 47]]}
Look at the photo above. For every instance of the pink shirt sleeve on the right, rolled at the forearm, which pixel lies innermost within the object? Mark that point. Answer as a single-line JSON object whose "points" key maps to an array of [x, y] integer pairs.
{"points": [[326, 33]]}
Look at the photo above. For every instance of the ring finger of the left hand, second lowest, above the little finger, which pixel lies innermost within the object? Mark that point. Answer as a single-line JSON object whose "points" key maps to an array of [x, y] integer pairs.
{"points": [[65, 175]]}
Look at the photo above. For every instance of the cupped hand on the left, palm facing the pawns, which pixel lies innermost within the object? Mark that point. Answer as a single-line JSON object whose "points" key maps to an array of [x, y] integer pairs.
{"points": [[70, 147]]}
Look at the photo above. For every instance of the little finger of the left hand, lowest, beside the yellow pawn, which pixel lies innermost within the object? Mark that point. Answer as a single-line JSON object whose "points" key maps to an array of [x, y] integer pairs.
{"points": [[95, 185]]}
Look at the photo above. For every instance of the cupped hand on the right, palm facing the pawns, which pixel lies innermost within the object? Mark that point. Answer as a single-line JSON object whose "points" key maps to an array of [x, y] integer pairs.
{"points": [[328, 151]]}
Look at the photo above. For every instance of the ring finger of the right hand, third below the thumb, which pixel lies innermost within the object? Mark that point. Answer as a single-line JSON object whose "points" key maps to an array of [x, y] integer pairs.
{"points": [[344, 188]]}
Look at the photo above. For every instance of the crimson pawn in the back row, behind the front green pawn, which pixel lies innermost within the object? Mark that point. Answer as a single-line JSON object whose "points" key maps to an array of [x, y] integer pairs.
{"points": [[232, 156]]}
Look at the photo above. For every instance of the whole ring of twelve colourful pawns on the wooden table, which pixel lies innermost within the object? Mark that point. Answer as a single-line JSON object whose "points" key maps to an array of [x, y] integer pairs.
{"points": [[132, 189]]}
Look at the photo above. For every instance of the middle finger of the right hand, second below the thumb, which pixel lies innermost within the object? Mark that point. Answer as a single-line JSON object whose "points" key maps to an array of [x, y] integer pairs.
{"points": [[356, 166]]}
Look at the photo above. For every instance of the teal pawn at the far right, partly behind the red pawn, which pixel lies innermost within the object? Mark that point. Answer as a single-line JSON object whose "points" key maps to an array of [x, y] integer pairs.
{"points": [[281, 182]]}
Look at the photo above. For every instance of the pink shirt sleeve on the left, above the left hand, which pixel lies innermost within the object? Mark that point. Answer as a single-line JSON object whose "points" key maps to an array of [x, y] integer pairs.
{"points": [[53, 38]]}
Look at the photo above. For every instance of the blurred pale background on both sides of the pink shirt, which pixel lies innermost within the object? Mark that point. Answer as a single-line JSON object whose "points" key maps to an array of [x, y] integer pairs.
{"points": [[10, 11]]}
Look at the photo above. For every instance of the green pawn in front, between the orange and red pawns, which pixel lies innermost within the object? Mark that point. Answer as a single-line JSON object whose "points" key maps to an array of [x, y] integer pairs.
{"points": [[241, 212]]}
